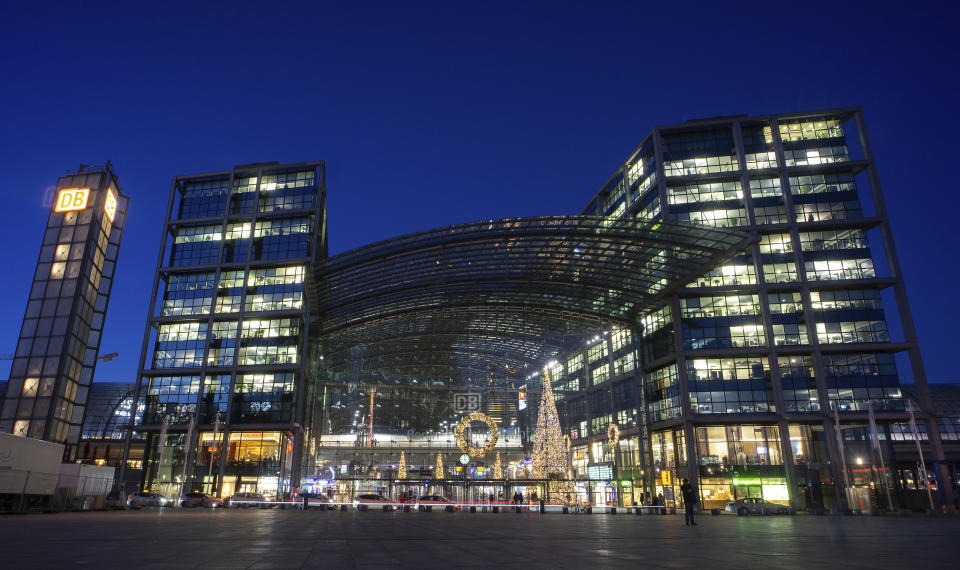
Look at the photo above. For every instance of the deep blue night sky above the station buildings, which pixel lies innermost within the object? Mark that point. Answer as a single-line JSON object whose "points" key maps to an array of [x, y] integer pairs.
{"points": [[434, 113]]}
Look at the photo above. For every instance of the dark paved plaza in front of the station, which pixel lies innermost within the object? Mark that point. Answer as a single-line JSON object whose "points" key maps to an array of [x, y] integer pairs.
{"points": [[169, 538]]}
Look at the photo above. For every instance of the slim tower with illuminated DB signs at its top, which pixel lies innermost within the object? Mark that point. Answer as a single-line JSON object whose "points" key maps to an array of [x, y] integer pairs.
{"points": [[57, 352]]}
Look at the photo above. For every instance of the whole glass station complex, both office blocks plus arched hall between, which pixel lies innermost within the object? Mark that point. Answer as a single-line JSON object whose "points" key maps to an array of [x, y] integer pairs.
{"points": [[719, 312]]}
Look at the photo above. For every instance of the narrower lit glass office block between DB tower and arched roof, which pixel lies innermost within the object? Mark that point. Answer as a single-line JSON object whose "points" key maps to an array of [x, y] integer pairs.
{"points": [[222, 371]]}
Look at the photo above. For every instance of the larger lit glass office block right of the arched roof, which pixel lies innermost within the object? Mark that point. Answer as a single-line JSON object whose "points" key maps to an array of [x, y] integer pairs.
{"points": [[747, 367]]}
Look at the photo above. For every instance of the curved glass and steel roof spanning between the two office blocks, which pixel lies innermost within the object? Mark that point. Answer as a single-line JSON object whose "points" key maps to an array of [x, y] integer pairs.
{"points": [[485, 299]]}
